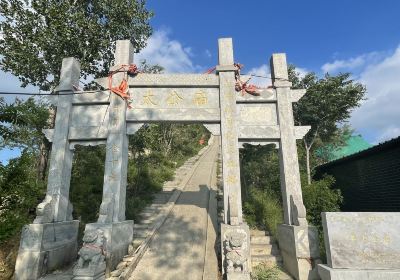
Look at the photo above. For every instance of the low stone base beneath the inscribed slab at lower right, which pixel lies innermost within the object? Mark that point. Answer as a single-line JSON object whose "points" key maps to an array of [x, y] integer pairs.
{"points": [[327, 273]]}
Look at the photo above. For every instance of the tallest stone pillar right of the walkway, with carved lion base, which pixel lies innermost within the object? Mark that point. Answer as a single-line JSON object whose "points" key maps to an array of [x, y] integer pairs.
{"points": [[234, 233]]}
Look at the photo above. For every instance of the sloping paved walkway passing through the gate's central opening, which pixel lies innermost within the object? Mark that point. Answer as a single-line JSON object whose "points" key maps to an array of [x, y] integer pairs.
{"points": [[183, 248]]}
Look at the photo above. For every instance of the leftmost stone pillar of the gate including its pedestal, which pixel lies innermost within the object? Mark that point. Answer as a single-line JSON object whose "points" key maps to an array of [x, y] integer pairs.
{"points": [[51, 241]]}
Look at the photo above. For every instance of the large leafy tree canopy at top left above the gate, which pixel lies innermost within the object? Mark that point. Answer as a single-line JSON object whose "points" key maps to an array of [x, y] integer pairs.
{"points": [[38, 34]]}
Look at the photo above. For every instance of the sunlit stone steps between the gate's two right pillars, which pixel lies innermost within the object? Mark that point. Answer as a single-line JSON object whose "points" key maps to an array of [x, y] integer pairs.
{"points": [[265, 250]]}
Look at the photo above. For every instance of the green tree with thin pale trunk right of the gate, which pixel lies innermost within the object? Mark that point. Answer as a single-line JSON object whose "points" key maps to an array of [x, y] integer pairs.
{"points": [[327, 103]]}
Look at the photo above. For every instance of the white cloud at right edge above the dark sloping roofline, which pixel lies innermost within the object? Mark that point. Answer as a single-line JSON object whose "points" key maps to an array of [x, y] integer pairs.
{"points": [[379, 115]]}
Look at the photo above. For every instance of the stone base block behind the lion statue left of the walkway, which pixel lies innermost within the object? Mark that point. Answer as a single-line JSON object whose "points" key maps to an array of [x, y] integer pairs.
{"points": [[118, 237]]}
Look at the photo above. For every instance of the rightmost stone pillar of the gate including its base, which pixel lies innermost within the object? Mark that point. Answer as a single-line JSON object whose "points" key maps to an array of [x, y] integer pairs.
{"points": [[298, 242]]}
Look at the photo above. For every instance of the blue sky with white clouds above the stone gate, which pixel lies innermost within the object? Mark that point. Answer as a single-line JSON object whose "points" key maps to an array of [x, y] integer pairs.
{"points": [[362, 37]]}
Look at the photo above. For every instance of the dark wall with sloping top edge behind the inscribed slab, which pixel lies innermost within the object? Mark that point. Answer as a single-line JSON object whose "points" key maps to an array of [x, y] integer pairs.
{"points": [[369, 180]]}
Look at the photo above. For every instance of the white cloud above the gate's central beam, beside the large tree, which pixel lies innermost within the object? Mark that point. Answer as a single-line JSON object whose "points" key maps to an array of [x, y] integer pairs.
{"points": [[168, 53]]}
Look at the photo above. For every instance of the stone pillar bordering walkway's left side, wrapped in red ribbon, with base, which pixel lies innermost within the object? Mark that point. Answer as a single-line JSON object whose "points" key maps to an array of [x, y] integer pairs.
{"points": [[111, 225]]}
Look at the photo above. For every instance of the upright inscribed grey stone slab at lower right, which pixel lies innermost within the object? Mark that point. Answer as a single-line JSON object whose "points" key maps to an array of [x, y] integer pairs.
{"points": [[364, 240]]}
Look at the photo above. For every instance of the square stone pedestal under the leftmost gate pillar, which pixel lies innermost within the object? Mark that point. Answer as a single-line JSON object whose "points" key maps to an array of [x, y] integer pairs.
{"points": [[46, 247]]}
